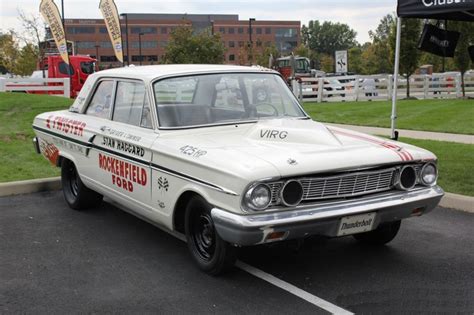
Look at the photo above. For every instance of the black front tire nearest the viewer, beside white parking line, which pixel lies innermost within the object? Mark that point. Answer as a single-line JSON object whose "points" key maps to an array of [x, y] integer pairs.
{"points": [[211, 253]]}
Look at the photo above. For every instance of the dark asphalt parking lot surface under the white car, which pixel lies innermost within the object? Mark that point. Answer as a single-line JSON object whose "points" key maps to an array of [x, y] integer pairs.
{"points": [[56, 260]]}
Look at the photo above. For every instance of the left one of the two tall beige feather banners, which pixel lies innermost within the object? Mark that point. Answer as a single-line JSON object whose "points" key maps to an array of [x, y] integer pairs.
{"points": [[50, 13]]}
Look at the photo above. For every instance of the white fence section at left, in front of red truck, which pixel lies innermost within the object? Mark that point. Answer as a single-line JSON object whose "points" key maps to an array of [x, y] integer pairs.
{"points": [[61, 87]]}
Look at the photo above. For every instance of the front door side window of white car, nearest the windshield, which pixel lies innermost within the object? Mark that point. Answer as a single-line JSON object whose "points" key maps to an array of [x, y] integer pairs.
{"points": [[131, 106]]}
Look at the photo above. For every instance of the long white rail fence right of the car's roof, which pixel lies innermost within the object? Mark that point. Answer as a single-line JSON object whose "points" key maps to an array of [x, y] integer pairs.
{"points": [[379, 87]]}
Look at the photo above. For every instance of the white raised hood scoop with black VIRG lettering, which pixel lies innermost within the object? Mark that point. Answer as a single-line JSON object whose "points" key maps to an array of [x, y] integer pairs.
{"points": [[295, 131]]}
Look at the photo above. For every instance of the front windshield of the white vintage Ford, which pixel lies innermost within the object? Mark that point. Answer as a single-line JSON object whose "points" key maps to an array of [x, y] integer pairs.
{"points": [[223, 98]]}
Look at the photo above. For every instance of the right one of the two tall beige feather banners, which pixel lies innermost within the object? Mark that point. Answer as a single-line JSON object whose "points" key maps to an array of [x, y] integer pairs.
{"points": [[111, 18]]}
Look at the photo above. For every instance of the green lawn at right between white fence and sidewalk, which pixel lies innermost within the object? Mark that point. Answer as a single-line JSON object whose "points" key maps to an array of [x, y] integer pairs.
{"points": [[452, 116]]}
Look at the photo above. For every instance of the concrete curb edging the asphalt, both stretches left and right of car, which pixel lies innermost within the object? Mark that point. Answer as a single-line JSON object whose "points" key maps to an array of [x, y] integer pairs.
{"points": [[453, 201]]}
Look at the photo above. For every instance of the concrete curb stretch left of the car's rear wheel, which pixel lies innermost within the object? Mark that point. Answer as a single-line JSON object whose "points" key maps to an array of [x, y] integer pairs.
{"points": [[29, 186]]}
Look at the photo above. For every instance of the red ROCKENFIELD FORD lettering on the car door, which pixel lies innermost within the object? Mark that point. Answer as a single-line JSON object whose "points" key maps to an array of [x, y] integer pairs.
{"points": [[124, 174]]}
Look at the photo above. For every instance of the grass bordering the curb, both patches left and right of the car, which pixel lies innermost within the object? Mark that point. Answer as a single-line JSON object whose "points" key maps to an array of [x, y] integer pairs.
{"points": [[19, 161]]}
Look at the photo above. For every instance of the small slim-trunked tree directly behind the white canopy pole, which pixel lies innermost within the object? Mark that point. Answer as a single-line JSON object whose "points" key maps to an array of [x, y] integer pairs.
{"points": [[409, 52]]}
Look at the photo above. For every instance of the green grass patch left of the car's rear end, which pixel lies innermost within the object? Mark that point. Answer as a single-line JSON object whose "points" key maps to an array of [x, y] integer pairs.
{"points": [[18, 158]]}
